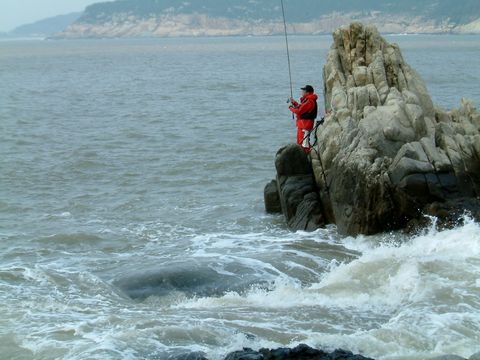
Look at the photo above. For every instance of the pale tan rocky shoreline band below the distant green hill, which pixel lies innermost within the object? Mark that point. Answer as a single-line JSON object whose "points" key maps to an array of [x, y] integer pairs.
{"points": [[178, 25]]}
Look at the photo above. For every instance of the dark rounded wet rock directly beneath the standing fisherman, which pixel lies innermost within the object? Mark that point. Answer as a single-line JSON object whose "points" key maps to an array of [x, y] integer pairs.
{"points": [[297, 190]]}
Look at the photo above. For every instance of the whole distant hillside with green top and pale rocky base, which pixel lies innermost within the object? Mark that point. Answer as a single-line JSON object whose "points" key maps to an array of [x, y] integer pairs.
{"points": [[152, 18]]}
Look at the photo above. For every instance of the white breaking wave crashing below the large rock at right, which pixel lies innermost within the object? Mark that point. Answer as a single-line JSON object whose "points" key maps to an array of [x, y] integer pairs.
{"points": [[423, 292]]}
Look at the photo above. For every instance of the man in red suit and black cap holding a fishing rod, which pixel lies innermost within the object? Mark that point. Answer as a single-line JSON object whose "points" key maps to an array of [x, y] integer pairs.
{"points": [[306, 111]]}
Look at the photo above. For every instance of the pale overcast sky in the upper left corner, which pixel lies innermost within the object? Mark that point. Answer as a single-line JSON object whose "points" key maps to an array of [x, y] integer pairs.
{"points": [[18, 12]]}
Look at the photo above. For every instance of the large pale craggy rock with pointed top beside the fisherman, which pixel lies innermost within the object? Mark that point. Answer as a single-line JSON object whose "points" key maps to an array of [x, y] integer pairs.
{"points": [[386, 154]]}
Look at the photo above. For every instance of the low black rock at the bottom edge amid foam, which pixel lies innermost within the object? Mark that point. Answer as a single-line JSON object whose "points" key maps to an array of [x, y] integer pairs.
{"points": [[301, 352]]}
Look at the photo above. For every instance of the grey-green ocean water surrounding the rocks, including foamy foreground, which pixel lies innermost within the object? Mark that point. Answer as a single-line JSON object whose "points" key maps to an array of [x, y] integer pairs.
{"points": [[131, 209]]}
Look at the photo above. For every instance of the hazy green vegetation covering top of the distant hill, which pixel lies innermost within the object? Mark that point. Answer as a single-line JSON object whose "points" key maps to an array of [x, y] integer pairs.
{"points": [[458, 11]]}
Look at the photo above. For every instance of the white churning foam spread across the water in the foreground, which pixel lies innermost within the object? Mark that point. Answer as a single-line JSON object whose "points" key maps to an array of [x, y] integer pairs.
{"points": [[400, 298]]}
